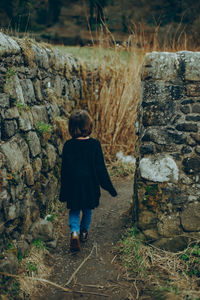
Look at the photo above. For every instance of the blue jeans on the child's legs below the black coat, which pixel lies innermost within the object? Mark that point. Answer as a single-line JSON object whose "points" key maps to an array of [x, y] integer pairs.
{"points": [[74, 220]]}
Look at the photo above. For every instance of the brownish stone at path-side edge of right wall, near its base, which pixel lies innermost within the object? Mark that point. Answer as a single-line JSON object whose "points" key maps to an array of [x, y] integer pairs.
{"points": [[146, 219]]}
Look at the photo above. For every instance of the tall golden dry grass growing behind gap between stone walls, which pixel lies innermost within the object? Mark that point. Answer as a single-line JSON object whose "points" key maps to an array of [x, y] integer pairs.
{"points": [[113, 91]]}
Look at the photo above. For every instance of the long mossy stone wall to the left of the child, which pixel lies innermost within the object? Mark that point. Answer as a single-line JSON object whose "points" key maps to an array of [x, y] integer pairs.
{"points": [[39, 87]]}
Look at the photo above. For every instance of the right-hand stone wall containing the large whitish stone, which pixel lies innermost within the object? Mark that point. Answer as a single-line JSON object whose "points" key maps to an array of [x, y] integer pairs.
{"points": [[167, 181]]}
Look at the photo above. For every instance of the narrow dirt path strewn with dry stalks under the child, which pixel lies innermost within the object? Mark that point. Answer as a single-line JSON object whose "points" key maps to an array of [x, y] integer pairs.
{"points": [[100, 276]]}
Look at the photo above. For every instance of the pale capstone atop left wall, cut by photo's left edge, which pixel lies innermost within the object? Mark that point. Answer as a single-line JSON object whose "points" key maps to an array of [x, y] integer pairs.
{"points": [[8, 45]]}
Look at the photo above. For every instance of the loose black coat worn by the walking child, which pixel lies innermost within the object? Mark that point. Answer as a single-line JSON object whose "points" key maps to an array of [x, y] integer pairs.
{"points": [[83, 172]]}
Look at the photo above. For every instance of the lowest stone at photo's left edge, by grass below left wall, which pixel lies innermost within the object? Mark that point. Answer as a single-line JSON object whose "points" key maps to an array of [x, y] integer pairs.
{"points": [[9, 264]]}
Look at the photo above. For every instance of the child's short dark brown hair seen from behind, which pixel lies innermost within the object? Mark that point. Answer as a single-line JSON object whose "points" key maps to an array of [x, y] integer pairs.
{"points": [[80, 124]]}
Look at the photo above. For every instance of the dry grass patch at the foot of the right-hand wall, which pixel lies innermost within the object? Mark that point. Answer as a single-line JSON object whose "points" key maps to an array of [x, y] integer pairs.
{"points": [[160, 271]]}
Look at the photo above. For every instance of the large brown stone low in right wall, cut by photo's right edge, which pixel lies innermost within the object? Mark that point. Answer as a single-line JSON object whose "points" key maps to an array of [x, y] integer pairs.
{"points": [[190, 217]]}
